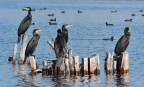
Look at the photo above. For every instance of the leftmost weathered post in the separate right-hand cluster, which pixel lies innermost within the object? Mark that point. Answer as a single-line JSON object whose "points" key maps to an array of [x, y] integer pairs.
{"points": [[109, 63]]}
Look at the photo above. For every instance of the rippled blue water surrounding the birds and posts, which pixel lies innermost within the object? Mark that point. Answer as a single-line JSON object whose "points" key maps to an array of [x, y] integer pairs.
{"points": [[85, 39]]}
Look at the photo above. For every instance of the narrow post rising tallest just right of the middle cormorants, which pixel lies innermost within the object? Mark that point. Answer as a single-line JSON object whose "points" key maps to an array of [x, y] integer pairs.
{"points": [[71, 62]]}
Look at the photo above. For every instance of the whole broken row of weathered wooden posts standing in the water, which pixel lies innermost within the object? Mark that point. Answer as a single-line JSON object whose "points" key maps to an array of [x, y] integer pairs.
{"points": [[71, 65]]}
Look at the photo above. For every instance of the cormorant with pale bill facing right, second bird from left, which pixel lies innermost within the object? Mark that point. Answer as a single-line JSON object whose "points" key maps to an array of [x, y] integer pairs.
{"points": [[30, 49]]}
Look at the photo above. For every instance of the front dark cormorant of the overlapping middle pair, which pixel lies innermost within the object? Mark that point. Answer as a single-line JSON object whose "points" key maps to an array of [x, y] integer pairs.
{"points": [[60, 45]]}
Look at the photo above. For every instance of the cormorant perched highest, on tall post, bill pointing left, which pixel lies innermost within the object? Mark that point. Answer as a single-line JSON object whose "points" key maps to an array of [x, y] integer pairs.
{"points": [[26, 22]]}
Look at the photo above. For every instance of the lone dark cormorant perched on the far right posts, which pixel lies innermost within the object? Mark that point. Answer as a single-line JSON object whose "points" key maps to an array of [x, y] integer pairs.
{"points": [[123, 42]]}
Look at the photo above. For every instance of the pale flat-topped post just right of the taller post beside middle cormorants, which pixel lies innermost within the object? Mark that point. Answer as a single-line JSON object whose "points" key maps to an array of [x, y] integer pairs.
{"points": [[76, 65]]}
